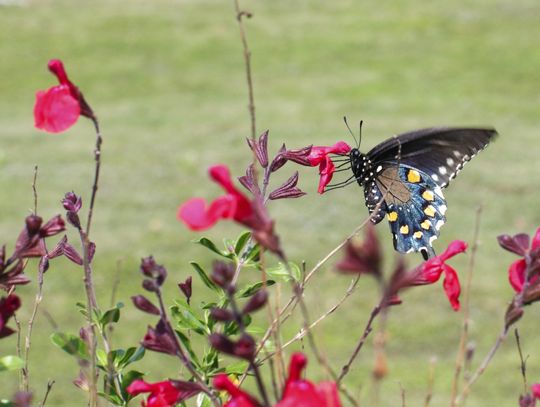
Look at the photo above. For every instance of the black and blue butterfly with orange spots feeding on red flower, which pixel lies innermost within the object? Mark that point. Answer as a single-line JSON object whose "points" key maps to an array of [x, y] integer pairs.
{"points": [[403, 178]]}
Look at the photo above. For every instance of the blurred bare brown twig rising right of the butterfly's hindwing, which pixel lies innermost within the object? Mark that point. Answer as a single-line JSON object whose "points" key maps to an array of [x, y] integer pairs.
{"points": [[460, 357]]}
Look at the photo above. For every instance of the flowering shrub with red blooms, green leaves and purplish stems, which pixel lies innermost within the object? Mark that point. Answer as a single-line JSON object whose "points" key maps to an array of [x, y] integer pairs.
{"points": [[233, 352]]}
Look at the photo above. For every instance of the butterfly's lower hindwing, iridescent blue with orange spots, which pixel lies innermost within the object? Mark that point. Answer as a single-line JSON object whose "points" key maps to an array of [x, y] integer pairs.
{"points": [[415, 208]]}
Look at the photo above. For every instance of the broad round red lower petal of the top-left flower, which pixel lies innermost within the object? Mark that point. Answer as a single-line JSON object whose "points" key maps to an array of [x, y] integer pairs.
{"points": [[56, 109]]}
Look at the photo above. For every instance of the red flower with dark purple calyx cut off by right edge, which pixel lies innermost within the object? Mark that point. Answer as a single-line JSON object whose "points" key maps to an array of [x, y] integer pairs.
{"points": [[519, 244]]}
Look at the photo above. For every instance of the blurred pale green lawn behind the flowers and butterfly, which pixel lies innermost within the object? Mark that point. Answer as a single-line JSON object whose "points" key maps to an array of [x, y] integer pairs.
{"points": [[167, 81]]}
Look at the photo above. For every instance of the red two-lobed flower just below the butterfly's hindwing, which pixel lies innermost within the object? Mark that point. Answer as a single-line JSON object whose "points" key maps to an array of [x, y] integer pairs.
{"points": [[430, 272]]}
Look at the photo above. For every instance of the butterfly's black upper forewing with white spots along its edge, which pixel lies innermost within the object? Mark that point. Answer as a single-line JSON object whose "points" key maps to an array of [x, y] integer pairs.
{"points": [[439, 152]]}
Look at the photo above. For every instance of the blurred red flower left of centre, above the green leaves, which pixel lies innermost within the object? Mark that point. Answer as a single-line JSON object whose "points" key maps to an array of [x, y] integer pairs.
{"points": [[197, 215]]}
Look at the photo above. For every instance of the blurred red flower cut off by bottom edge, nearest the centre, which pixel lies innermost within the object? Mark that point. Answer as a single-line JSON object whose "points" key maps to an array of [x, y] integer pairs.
{"points": [[303, 393]]}
